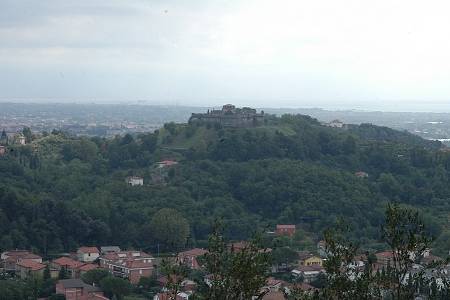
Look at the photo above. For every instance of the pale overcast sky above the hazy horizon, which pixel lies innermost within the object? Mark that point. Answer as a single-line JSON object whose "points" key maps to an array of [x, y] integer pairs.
{"points": [[384, 54]]}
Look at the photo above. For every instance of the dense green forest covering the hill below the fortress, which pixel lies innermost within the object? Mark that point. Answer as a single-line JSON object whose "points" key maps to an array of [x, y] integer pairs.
{"points": [[60, 191]]}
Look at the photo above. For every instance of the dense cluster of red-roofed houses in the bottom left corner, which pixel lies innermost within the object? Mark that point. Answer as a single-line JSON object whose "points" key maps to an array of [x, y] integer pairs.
{"points": [[131, 265]]}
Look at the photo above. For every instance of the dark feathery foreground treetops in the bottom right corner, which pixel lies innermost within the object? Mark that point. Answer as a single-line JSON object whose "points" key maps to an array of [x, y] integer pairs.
{"points": [[404, 232]]}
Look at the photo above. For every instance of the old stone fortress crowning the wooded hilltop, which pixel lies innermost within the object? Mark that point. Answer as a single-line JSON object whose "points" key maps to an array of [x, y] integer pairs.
{"points": [[230, 116]]}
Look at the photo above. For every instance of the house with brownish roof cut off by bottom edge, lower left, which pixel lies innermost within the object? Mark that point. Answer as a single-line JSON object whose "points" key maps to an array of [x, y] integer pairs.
{"points": [[76, 289]]}
